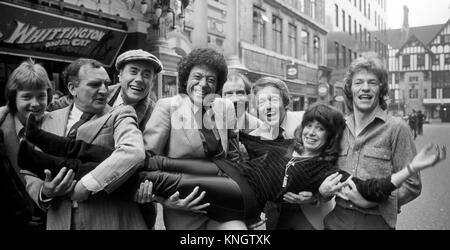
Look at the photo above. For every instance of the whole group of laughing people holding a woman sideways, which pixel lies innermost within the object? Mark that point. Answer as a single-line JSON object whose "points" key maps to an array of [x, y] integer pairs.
{"points": [[216, 156]]}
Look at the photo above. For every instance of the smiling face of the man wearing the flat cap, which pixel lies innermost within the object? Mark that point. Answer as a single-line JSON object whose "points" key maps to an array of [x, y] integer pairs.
{"points": [[136, 80]]}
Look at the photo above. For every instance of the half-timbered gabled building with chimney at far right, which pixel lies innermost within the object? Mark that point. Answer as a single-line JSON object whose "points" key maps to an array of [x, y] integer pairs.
{"points": [[419, 65]]}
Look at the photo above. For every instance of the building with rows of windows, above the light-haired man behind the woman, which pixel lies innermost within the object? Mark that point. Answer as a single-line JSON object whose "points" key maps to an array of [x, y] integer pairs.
{"points": [[280, 38]]}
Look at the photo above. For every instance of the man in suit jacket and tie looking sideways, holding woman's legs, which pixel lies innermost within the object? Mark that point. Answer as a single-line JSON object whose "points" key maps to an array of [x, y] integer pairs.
{"points": [[89, 206]]}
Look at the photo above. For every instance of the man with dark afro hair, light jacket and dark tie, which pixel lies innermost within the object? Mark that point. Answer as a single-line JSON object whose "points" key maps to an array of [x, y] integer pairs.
{"points": [[176, 128]]}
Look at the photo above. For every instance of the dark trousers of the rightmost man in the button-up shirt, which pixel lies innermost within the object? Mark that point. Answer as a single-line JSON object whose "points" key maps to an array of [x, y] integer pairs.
{"points": [[348, 219]]}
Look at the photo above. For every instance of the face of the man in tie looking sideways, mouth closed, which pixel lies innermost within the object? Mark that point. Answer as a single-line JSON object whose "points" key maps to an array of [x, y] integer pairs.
{"points": [[90, 92]]}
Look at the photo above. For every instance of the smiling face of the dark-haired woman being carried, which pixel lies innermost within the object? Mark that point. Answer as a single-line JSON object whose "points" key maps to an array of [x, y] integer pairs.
{"points": [[314, 137]]}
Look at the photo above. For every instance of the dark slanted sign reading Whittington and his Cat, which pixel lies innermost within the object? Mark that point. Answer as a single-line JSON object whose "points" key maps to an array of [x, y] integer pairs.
{"points": [[34, 33]]}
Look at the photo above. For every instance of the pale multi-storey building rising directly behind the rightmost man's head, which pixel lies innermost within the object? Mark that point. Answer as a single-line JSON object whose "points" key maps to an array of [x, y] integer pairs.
{"points": [[357, 27]]}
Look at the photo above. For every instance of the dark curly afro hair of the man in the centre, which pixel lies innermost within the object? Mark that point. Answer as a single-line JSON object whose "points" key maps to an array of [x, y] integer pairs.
{"points": [[203, 56]]}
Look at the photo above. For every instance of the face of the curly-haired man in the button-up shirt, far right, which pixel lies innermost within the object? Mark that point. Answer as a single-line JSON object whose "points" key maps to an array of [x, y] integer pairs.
{"points": [[365, 92]]}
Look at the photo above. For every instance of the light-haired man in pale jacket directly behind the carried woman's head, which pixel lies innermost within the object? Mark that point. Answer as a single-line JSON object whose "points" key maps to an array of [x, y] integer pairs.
{"points": [[272, 100]]}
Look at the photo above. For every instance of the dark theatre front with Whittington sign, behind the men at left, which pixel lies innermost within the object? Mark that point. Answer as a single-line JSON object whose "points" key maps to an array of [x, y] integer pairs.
{"points": [[54, 38]]}
